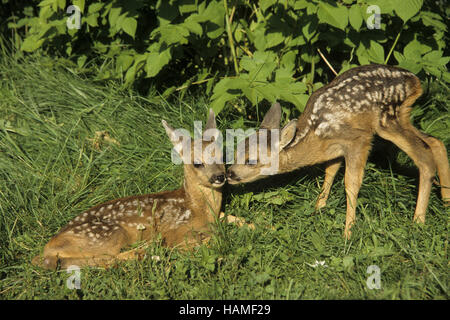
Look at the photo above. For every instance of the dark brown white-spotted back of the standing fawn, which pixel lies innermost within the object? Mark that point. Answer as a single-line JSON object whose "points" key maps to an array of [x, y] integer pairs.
{"points": [[362, 98]]}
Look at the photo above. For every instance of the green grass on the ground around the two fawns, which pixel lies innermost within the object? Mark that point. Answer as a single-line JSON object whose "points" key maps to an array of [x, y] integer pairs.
{"points": [[51, 170]]}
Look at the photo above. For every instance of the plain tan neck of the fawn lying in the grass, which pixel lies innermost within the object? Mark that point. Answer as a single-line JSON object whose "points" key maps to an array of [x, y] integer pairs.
{"points": [[203, 201]]}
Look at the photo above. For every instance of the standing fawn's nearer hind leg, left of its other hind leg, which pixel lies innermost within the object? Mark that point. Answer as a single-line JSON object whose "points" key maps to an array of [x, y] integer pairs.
{"points": [[420, 152]]}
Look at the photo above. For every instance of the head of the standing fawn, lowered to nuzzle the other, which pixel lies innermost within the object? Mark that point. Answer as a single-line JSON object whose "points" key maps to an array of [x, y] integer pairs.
{"points": [[259, 152]]}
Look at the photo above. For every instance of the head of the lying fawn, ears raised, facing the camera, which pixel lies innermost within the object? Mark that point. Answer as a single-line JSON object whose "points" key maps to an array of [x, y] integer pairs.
{"points": [[202, 157]]}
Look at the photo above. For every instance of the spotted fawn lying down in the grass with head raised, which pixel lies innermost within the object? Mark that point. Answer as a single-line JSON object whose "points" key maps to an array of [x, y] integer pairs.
{"points": [[182, 217]]}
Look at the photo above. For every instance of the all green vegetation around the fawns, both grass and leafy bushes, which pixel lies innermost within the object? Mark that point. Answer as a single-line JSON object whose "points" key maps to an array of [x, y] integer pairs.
{"points": [[80, 123]]}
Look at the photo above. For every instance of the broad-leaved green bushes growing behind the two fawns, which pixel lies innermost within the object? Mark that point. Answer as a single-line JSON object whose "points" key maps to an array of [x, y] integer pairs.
{"points": [[257, 50]]}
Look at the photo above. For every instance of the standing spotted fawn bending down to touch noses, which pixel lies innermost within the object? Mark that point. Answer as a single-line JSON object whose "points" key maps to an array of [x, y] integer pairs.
{"points": [[339, 122]]}
